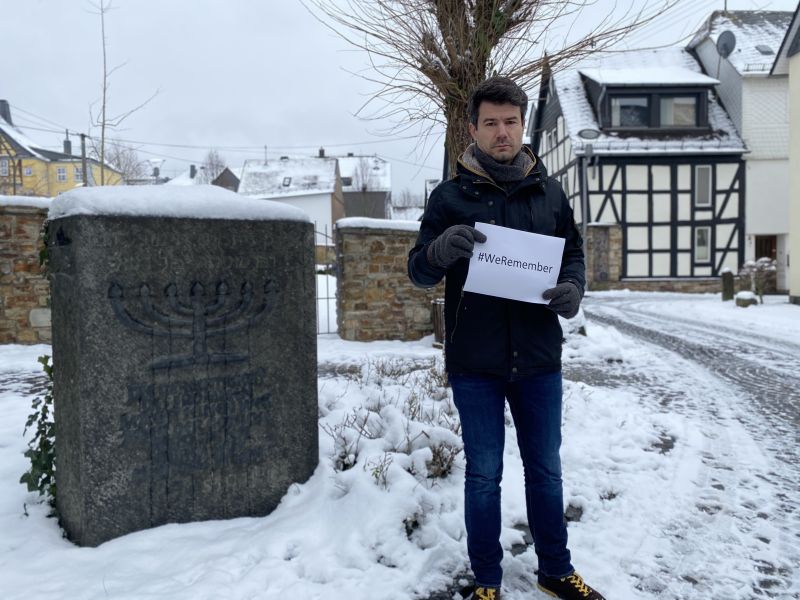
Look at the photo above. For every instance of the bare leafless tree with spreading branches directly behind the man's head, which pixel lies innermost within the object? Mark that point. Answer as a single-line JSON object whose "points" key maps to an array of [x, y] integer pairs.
{"points": [[426, 56]]}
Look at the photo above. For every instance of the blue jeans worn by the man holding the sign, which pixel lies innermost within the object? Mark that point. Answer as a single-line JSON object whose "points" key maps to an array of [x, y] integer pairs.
{"points": [[535, 404]]}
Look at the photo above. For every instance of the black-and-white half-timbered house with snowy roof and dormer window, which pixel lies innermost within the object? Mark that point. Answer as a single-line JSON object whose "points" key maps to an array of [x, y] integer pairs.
{"points": [[652, 165]]}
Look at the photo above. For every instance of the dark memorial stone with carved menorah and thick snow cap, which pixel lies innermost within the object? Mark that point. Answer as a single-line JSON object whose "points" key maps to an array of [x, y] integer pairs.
{"points": [[184, 347]]}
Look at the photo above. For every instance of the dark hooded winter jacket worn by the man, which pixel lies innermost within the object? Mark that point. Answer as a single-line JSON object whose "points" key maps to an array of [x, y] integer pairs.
{"points": [[486, 334]]}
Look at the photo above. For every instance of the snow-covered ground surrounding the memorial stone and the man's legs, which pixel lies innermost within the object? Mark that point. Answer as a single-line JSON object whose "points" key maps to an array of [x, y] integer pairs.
{"points": [[670, 492]]}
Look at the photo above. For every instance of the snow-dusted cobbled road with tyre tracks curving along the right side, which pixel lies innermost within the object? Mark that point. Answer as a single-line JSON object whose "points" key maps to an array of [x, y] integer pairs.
{"points": [[735, 532]]}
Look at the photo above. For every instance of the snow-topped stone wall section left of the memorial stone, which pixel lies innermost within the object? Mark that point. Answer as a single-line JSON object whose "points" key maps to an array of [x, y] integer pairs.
{"points": [[24, 290]]}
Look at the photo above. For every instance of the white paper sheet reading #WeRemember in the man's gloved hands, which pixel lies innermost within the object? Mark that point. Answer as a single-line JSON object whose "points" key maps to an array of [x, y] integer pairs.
{"points": [[514, 264]]}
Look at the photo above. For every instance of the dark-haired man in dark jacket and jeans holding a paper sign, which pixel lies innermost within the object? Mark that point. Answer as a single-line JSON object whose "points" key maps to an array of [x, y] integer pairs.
{"points": [[499, 350]]}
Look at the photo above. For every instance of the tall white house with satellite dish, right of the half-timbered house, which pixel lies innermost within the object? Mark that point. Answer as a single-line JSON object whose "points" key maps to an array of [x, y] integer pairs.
{"points": [[757, 99]]}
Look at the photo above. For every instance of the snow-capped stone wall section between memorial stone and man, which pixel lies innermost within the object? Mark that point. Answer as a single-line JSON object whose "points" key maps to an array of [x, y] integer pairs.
{"points": [[375, 299]]}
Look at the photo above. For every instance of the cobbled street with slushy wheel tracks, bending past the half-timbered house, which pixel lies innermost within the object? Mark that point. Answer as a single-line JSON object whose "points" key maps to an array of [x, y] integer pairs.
{"points": [[718, 375]]}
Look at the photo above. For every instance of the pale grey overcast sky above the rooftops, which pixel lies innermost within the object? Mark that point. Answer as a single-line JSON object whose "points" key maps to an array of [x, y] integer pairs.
{"points": [[236, 76]]}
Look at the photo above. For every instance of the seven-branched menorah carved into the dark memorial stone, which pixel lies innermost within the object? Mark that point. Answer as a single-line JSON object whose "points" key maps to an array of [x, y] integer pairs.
{"points": [[198, 319]]}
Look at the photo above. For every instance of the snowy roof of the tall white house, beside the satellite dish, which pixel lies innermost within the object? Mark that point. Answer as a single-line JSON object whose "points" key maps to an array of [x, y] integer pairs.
{"points": [[758, 34]]}
